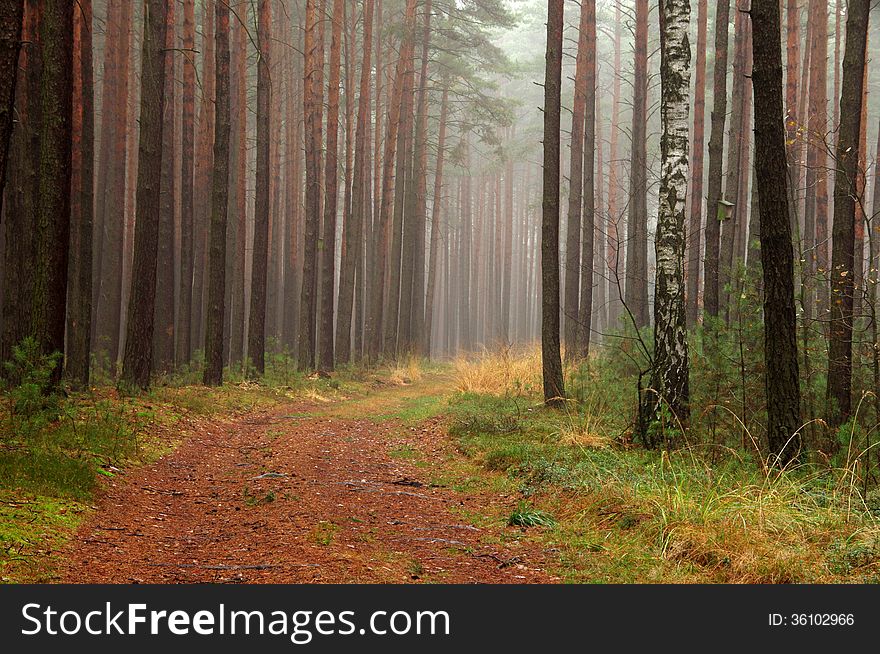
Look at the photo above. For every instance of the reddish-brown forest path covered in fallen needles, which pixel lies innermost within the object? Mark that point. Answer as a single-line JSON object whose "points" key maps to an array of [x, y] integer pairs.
{"points": [[306, 493]]}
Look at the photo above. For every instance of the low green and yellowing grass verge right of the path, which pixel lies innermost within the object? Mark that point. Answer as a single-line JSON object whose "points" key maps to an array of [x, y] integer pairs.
{"points": [[620, 514]]}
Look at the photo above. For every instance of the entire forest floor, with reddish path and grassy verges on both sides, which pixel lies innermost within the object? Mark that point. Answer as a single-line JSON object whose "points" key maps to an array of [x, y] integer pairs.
{"points": [[410, 473]]}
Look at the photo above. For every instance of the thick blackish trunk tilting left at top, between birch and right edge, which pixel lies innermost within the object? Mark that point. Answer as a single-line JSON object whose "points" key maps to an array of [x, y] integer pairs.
{"points": [[780, 326]]}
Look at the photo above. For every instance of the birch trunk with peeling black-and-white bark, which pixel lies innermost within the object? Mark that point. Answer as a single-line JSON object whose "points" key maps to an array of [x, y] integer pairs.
{"points": [[669, 388]]}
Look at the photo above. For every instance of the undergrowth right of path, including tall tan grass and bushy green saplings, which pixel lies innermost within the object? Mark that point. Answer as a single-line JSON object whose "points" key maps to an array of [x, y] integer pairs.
{"points": [[708, 511]]}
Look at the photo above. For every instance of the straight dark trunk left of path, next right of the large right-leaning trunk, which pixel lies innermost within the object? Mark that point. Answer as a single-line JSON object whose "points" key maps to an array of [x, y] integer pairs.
{"points": [[213, 374]]}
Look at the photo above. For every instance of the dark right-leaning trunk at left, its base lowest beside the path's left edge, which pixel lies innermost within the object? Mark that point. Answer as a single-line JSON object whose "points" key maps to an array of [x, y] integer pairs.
{"points": [[137, 360]]}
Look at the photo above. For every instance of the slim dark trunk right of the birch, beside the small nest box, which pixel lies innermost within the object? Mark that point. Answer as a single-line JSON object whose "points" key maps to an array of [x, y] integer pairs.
{"points": [[716, 155]]}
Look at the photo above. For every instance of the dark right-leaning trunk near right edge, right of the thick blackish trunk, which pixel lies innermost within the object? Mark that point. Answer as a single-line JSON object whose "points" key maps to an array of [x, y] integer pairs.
{"points": [[839, 389]]}
